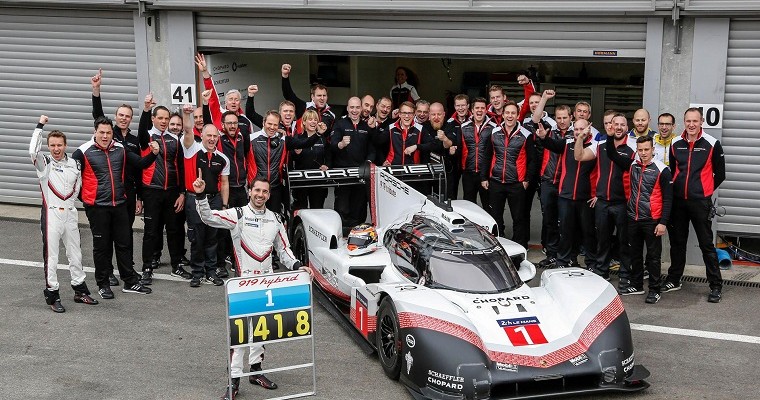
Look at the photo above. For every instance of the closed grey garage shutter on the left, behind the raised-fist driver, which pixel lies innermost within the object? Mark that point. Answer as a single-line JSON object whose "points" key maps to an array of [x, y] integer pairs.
{"points": [[48, 57]]}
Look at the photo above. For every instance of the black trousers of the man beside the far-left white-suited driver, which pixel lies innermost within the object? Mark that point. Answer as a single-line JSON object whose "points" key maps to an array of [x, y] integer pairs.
{"points": [[110, 230]]}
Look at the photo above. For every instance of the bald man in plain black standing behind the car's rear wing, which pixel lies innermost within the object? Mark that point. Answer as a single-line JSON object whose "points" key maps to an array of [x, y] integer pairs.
{"points": [[352, 143]]}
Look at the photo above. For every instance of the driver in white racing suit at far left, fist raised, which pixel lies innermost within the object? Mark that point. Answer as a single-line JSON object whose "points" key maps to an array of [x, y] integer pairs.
{"points": [[60, 181]]}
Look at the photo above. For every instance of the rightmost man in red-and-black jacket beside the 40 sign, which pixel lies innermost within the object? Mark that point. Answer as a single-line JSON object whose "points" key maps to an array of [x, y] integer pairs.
{"points": [[696, 159]]}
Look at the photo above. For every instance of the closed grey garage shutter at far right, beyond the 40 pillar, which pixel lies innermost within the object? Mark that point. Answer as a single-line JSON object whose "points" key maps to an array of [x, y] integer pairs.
{"points": [[740, 193]]}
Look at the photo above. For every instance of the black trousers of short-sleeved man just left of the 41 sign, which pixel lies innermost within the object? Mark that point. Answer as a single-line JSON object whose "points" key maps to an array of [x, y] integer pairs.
{"points": [[158, 209]]}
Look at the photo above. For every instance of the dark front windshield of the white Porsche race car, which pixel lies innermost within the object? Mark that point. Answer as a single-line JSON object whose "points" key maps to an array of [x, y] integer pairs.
{"points": [[478, 271]]}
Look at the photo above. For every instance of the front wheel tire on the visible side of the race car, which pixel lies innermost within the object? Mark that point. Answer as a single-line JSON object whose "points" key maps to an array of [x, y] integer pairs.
{"points": [[388, 339]]}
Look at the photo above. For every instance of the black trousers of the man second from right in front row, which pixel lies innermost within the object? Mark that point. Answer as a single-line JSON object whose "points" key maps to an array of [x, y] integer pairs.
{"points": [[639, 233]]}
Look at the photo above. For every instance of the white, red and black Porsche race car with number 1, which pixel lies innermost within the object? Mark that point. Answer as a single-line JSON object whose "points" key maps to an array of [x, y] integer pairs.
{"points": [[445, 304]]}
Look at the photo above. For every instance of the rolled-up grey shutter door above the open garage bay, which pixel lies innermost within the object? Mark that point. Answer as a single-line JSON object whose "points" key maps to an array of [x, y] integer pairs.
{"points": [[451, 34]]}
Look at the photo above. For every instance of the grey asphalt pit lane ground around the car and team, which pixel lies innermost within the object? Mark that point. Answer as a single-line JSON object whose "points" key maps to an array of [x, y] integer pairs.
{"points": [[170, 344]]}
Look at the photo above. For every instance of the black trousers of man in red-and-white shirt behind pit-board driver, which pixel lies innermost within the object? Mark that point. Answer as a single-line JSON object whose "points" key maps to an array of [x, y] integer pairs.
{"points": [[203, 238]]}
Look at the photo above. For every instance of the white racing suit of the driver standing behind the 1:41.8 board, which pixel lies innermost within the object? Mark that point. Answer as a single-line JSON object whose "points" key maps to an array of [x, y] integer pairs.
{"points": [[255, 234]]}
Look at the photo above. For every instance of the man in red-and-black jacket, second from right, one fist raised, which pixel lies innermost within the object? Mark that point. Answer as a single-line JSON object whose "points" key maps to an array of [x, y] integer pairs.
{"points": [[649, 206]]}
